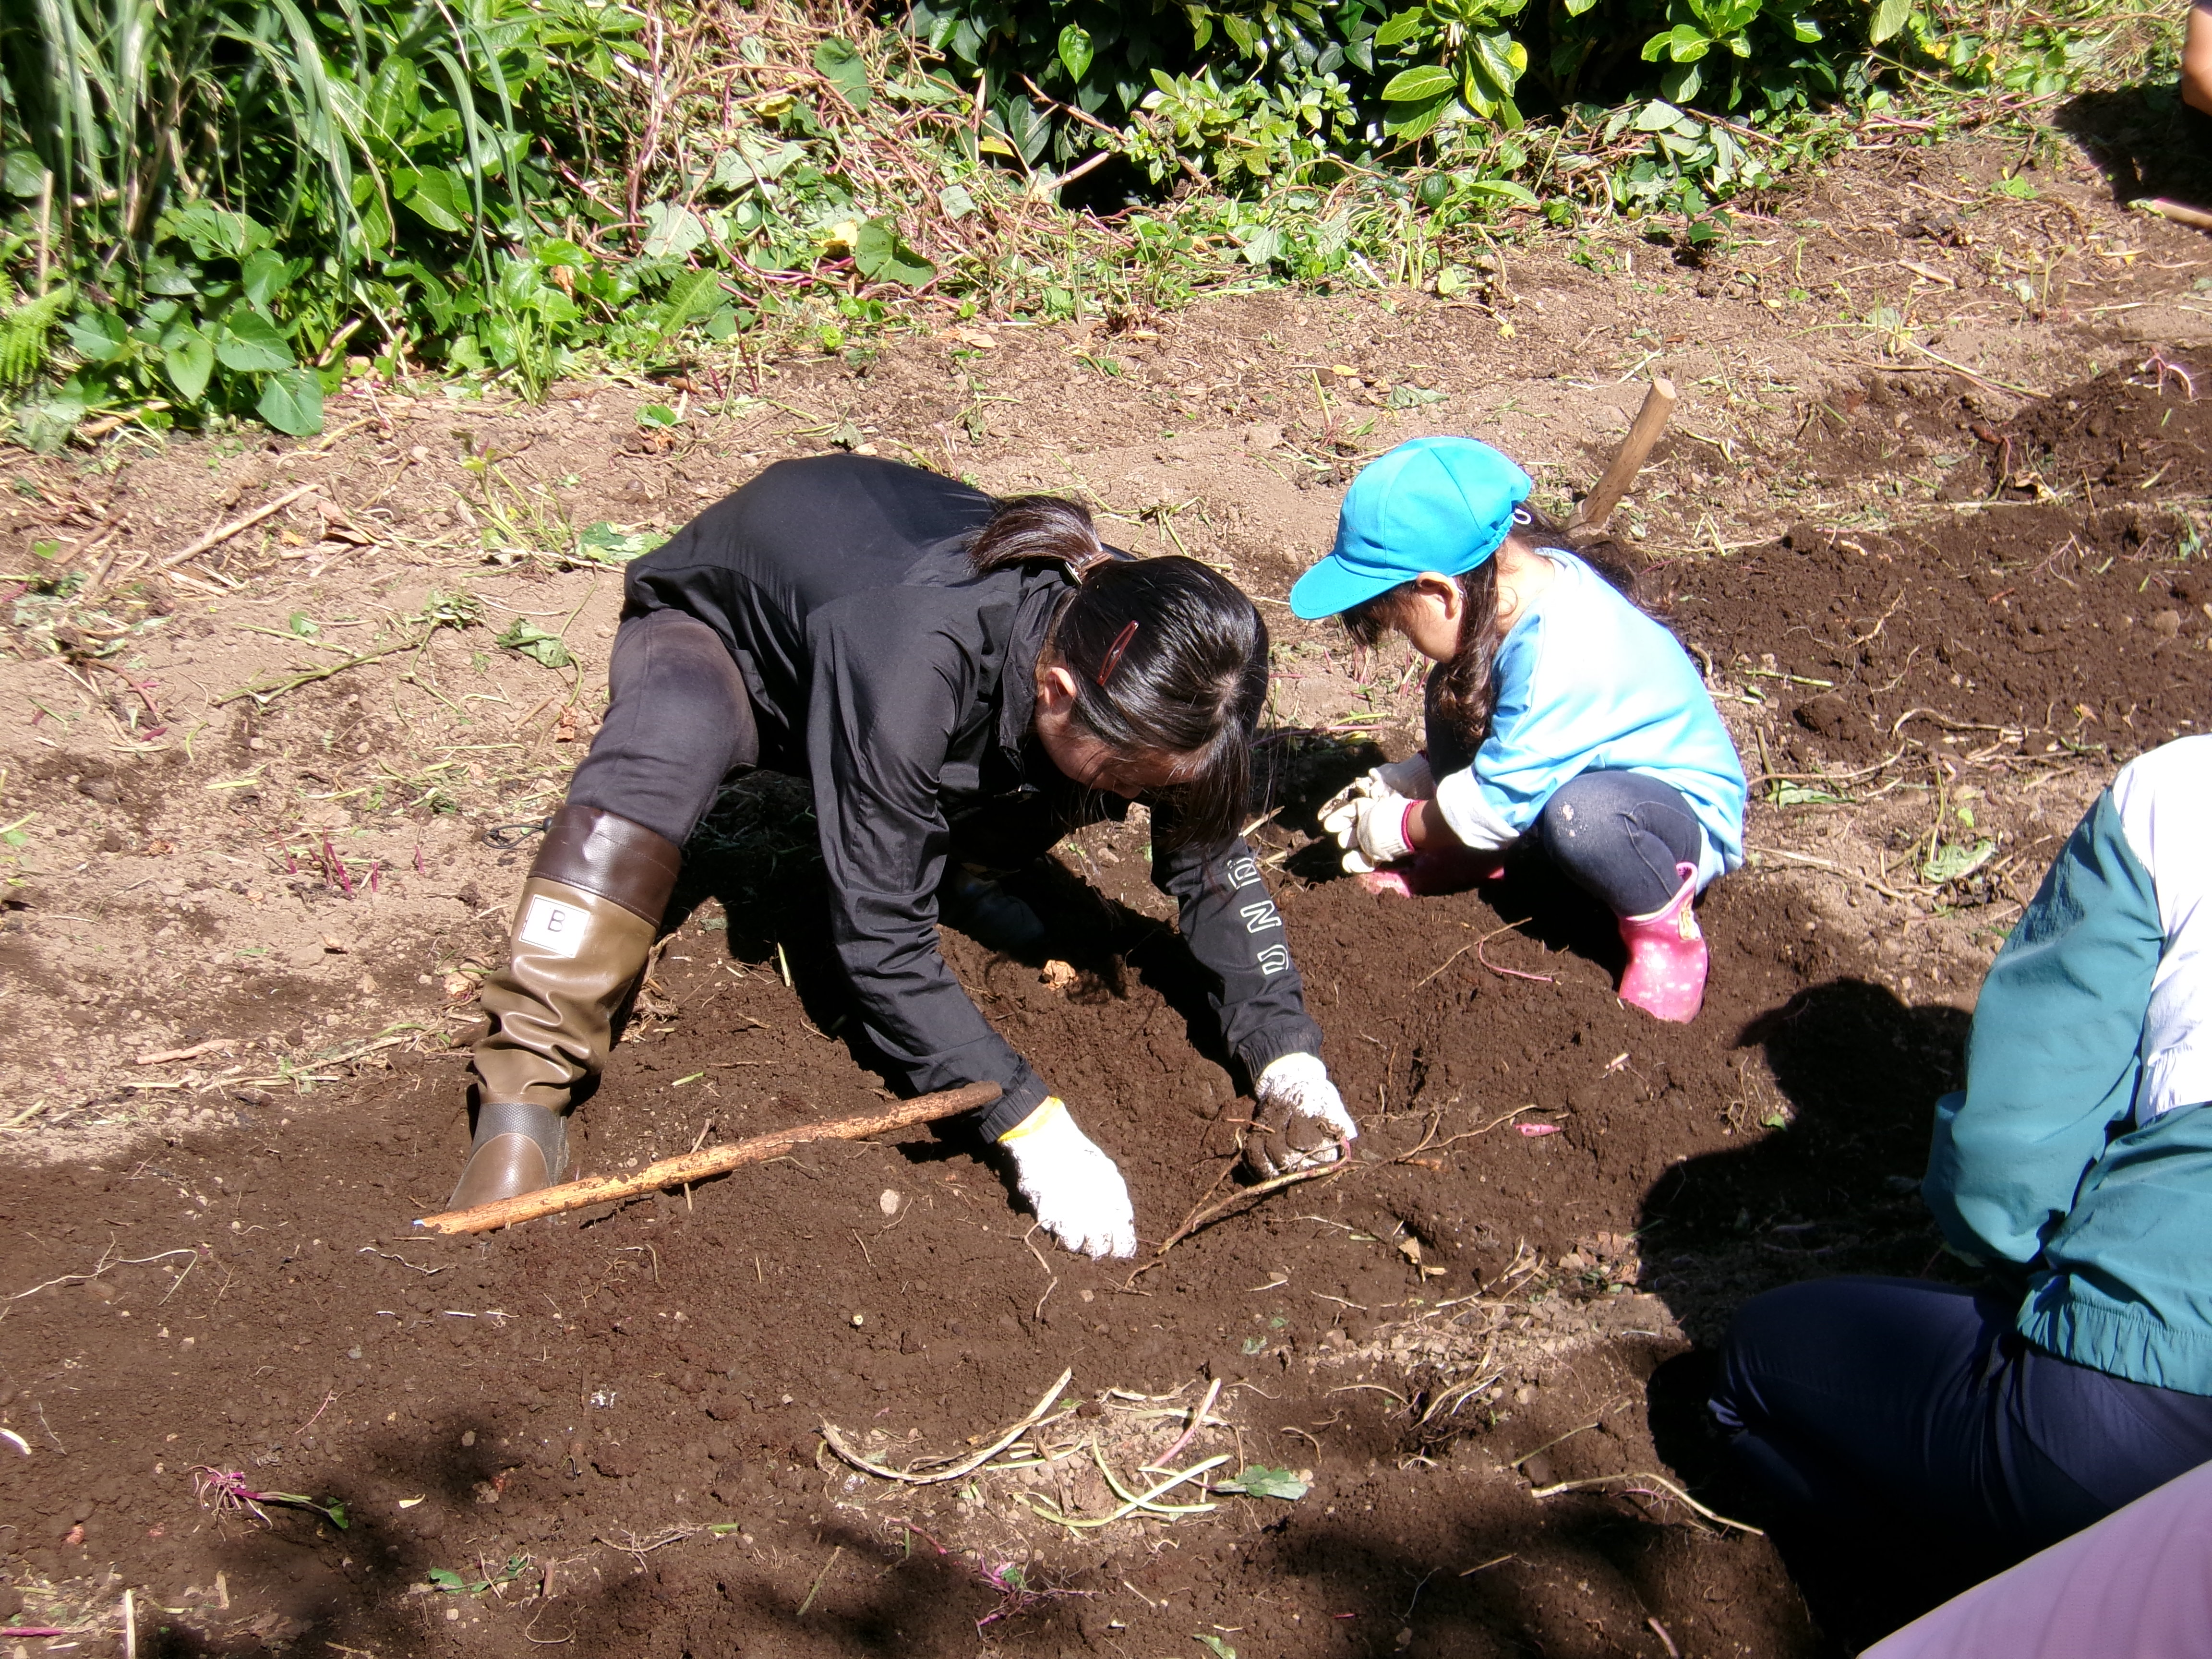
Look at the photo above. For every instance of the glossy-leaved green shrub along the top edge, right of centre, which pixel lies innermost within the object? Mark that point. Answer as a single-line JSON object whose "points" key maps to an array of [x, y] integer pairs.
{"points": [[1249, 92]]}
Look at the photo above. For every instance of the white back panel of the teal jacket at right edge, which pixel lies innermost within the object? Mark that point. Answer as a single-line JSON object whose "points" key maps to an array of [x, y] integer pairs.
{"points": [[2164, 806]]}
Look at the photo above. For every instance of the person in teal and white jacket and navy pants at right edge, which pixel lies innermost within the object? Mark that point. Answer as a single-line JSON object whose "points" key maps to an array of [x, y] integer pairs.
{"points": [[2080, 1154]]}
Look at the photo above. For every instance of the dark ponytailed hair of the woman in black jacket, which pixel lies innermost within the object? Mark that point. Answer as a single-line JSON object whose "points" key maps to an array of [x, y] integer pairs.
{"points": [[1167, 656]]}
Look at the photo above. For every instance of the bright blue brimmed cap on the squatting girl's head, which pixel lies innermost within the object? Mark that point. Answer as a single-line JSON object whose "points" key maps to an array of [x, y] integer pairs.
{"points": [[1428, 505]]}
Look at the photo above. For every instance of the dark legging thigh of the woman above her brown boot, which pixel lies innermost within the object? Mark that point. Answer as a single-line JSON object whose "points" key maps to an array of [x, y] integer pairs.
{"points": [[678, 724]]}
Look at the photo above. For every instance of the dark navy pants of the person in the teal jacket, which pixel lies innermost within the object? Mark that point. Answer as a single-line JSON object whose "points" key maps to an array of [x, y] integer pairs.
{"points": [[1892, 1404]]}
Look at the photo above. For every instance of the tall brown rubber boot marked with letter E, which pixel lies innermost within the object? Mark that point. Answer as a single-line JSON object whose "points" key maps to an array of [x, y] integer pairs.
{"points": [[578, 943]]}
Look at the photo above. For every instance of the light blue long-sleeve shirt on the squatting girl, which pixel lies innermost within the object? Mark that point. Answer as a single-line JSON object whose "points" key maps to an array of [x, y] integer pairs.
{"points": [[1585, 682]]}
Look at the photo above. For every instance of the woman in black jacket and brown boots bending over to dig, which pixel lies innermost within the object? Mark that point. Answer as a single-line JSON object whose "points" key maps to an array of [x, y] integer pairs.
{"points": [[963, 682]]}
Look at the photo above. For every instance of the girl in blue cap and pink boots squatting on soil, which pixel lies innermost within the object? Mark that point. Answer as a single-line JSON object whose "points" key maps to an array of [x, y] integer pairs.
{"points": [[1556, 711]]}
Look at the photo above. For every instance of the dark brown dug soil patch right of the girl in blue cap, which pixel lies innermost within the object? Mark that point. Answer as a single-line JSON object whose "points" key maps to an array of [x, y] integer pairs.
{"points": [[2067, 614]]}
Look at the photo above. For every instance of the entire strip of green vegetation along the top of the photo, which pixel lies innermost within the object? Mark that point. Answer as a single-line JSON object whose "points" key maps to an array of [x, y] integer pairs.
{"points": [[220, 209]]}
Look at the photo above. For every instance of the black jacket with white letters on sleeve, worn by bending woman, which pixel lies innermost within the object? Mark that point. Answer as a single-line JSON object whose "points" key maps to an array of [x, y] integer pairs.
{"points": [[904, 685]]}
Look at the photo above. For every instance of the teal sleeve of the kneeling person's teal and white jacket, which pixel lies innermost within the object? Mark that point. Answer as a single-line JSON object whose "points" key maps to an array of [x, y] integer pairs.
{"points": [[2052, 1063]]}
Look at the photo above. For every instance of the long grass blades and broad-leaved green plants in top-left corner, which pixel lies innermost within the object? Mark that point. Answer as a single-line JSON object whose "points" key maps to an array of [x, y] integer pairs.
{"points": [[244, 185]]}
